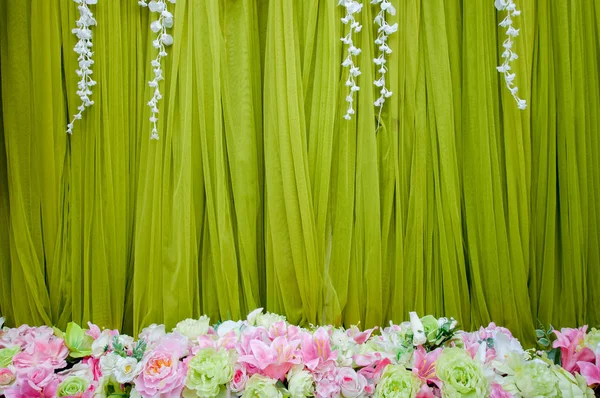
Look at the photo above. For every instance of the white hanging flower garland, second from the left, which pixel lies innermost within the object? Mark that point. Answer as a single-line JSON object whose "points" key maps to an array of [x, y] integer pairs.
{"points": [[163, 40]]}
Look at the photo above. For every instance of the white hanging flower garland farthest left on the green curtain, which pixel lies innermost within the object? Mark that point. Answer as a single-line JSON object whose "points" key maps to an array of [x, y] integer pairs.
{"points": [[83, 47]]}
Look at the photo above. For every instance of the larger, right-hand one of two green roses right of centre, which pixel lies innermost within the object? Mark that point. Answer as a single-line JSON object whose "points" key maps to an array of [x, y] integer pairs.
{"points": [[460, 374]]}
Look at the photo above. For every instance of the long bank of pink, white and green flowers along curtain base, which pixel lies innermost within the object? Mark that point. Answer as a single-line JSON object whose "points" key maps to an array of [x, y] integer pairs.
{"points": [[265, 356]]}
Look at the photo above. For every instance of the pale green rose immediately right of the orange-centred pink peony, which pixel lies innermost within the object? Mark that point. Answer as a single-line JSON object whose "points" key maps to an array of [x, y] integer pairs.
{"points": [[208, 371]]}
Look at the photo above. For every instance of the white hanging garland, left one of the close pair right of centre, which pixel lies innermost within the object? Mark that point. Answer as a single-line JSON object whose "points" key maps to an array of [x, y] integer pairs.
{"points": [[352, 7]]}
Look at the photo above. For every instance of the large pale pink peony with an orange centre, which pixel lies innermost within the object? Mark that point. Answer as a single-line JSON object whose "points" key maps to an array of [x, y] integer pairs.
{"points": [[162, 372]]}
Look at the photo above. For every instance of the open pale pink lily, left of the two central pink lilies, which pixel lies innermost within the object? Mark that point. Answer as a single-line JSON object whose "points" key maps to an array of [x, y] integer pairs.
{"points": [[273, 360]]}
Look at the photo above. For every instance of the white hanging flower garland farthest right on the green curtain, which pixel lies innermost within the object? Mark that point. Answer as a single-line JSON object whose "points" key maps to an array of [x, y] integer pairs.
{"points": [[509, 55]]}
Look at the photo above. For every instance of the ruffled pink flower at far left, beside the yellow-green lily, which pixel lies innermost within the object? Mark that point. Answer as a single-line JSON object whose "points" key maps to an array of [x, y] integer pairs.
{"points": [[42, 348]]}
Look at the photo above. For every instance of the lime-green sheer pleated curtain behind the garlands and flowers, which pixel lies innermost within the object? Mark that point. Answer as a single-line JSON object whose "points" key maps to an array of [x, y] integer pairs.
{"points": [[259, 193]]}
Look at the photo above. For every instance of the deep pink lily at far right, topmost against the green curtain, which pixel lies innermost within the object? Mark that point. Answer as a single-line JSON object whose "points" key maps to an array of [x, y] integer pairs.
{"points": [[571, 348]]}
